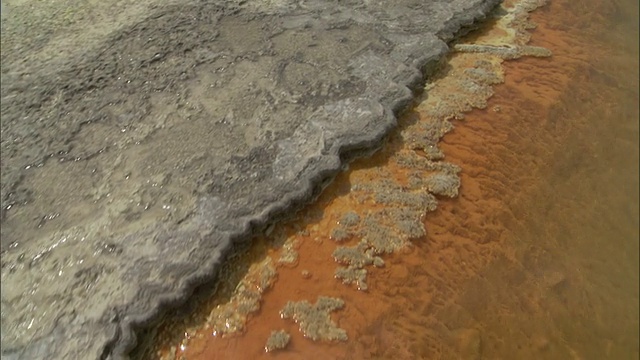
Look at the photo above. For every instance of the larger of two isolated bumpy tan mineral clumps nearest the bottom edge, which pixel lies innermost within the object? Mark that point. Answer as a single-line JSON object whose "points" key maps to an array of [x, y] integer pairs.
{"points": [[313, 320]]}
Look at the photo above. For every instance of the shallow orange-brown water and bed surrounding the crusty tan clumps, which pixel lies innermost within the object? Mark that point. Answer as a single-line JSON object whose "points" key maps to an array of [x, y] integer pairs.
{"points": [[537, 257]]}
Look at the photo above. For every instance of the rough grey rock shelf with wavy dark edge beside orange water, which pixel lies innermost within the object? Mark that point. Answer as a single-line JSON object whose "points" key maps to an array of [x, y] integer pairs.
{"points": [[137, 149]]}
